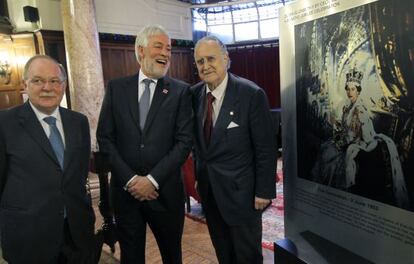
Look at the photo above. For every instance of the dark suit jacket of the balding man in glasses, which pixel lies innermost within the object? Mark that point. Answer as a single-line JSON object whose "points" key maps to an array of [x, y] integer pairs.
{"points": [[34, 190]]}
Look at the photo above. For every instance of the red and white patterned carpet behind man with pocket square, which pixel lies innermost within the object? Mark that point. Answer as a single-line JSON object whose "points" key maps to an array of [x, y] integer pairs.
{"points": [[272, 220]]}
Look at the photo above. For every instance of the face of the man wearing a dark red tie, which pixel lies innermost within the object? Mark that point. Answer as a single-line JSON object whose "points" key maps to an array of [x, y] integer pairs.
{"points": [[211, 63]]}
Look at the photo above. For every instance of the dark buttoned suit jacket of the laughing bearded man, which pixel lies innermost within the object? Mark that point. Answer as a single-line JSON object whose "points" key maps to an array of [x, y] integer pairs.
{"points": [[160, 149]]}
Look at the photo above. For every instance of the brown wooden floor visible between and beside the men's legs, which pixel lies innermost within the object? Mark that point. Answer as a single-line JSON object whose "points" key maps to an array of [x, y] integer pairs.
{"points": [[196, 244]]}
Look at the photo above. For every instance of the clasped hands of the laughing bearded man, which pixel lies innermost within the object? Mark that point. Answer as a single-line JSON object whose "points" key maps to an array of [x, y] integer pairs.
{"points": [[142, 189]]}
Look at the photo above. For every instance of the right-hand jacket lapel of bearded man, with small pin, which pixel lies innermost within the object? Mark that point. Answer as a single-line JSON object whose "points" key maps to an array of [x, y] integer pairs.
{"points": [[160, 94]]}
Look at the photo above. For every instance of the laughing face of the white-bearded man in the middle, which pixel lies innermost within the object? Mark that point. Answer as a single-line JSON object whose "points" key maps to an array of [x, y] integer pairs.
{"points": [[155, 57]]}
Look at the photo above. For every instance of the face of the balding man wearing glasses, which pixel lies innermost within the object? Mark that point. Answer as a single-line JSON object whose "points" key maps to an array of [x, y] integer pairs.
{"points": [[44, 85]]}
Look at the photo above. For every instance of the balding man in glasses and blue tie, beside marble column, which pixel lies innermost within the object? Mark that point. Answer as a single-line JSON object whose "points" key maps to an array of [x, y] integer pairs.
{"points": [[45, 212]]}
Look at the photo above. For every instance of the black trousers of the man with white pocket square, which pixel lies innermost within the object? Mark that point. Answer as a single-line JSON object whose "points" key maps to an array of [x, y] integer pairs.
{"points": [[241, 244]]}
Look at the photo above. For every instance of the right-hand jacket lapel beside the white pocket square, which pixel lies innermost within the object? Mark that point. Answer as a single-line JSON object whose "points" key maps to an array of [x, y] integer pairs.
{"points": [[226, 113]]}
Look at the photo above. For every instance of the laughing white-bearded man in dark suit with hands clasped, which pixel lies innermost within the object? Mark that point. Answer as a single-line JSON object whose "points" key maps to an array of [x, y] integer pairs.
{"points": [[145, 129]]}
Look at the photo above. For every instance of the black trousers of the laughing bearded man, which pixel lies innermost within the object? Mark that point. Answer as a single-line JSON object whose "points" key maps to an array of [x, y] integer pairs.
{"points": [[166, 226]]}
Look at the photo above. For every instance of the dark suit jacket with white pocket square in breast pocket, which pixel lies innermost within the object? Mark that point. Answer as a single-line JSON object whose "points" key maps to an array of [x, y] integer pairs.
{"points": [[240, 162]]}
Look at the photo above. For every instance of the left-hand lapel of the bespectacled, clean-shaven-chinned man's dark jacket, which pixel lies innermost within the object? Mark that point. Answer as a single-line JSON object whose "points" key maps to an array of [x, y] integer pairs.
{"points": [[31, 124]]}
